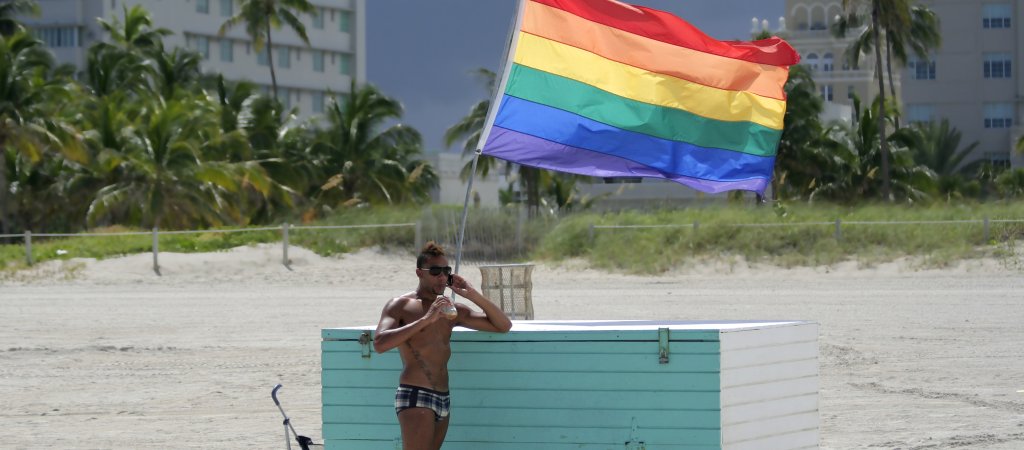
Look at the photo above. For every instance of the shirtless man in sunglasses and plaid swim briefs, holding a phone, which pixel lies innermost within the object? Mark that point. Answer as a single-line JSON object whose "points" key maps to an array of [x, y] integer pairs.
{"points": [[417, 325]]}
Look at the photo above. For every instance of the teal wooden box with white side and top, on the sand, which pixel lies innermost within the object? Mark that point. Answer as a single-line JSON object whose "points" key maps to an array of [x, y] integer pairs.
{"points": [[594, 386]]}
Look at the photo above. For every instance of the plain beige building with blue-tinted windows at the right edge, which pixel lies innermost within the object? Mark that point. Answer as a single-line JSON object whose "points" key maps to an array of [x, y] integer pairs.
{"points": [[974, 79]]}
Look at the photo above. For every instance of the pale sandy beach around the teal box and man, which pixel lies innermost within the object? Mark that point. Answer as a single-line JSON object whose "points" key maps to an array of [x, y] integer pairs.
{"points": [[99, 355]]}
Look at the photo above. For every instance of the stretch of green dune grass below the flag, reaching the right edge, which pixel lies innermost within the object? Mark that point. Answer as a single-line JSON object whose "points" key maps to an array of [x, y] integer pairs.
{"points": [[785, 236]]}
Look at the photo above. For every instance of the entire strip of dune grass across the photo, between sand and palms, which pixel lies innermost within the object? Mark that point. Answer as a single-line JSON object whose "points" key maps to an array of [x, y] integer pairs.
{"points": [[789, 236]]}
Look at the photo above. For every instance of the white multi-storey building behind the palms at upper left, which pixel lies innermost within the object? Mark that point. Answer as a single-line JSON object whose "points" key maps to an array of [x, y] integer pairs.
{"points": [[307, 75]]}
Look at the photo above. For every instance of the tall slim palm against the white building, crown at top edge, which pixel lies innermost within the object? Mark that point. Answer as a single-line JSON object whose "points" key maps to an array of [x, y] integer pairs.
{"points": [[261, 17]]}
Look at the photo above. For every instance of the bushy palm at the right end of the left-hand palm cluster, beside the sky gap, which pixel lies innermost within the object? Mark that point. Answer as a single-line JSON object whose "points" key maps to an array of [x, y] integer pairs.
{"points": [[365, 161]]}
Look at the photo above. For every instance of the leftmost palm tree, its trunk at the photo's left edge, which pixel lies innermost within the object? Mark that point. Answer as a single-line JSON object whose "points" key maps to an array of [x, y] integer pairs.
{"points": [[31, 94]]}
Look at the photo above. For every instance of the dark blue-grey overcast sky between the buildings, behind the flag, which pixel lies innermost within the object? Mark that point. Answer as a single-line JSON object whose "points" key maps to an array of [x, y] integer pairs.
{"points": [[423, 52]]}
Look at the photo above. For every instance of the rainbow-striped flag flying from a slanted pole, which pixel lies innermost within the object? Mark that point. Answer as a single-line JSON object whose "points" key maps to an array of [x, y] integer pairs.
{"points": [[604, 89]]}
